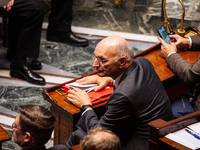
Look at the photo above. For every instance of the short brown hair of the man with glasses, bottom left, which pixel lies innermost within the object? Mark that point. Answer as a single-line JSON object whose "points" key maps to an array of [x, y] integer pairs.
{"points": [[38, 121]]}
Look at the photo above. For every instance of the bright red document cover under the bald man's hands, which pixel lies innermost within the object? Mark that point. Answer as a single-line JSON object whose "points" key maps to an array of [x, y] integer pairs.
{"points": [[96, 97]]}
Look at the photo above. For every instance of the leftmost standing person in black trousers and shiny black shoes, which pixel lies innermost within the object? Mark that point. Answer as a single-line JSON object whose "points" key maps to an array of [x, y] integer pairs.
{"points": [[24, 31]]}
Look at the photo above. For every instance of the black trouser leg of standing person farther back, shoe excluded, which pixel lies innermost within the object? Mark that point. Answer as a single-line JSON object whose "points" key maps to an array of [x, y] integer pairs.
{"points": [[60, 18]]}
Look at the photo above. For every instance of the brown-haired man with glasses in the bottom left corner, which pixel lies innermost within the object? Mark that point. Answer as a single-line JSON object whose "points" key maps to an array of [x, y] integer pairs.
{"points": [[33, 128]]}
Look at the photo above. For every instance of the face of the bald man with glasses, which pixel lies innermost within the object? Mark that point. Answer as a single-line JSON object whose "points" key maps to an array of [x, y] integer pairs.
{"points": [[106, 62]]}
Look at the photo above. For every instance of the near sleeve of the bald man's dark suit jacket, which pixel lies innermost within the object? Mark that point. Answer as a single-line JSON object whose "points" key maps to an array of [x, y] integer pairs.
{"points": [[118, 115]]}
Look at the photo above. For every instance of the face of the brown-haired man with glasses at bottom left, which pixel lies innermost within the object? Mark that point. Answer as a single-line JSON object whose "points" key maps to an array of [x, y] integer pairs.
{"points": [[18, 134]]}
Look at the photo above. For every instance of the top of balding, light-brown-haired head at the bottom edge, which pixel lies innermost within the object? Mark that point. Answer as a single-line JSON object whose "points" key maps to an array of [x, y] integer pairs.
{"points": [[96, 140]]}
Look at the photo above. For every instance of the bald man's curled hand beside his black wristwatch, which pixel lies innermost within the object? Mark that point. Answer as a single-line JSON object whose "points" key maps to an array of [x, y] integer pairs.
{"points": [[78, 97]]}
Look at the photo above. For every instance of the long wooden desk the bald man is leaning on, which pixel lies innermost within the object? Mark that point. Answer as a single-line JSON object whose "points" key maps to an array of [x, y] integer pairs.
{"points": [[67, 115]]}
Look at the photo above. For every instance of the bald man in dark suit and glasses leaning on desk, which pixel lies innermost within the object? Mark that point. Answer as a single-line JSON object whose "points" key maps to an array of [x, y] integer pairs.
{"points": [[139, 96]]}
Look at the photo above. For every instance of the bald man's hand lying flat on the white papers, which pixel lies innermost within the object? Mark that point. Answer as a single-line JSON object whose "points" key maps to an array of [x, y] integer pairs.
{"points": [[101, 81]]}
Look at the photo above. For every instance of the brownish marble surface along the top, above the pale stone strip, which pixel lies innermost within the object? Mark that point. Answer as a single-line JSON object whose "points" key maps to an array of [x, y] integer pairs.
{"points": [[133, 16]]}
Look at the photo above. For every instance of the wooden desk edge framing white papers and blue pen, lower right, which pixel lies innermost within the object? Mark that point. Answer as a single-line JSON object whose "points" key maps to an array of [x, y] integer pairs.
{"points": [[159, 128]]}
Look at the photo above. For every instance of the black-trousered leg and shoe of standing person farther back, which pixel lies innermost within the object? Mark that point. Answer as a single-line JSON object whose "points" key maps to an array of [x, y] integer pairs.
{"points": [[60, 20]]}
